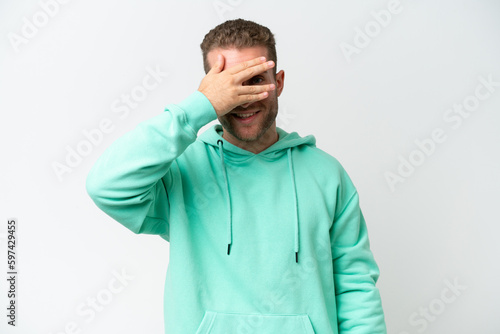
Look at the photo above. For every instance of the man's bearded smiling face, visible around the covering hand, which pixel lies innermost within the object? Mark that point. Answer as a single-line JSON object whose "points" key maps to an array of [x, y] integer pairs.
{"points": [[262, 114]]}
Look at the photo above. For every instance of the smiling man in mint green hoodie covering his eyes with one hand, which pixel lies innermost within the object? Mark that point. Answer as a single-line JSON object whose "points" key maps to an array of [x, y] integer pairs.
{"points": [[265, 230]]}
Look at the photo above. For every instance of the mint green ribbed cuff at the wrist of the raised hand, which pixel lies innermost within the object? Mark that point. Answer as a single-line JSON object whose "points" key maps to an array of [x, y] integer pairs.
{"points": [[198, 110]]}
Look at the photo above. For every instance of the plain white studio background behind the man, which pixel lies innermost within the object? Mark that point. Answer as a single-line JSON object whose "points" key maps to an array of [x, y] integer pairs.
{"points": [[438, 227]]}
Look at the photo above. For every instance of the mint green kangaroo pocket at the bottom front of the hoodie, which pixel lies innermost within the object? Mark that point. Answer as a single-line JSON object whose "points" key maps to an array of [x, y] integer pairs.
{"points": [[237, 323]]}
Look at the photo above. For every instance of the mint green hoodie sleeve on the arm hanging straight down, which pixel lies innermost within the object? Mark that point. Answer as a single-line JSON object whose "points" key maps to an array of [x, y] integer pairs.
{"points": [[359, 306]]}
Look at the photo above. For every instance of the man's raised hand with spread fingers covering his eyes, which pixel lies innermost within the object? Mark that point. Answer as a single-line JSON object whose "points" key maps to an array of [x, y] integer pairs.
{"points": [[225, 89]]}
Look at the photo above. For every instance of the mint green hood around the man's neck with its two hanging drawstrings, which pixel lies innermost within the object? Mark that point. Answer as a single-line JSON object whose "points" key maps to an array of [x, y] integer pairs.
{"points": [[234, 154]]}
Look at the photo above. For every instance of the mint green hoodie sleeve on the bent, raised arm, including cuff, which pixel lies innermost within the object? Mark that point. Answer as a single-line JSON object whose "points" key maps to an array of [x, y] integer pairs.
{"points": [[127, 183]]}
